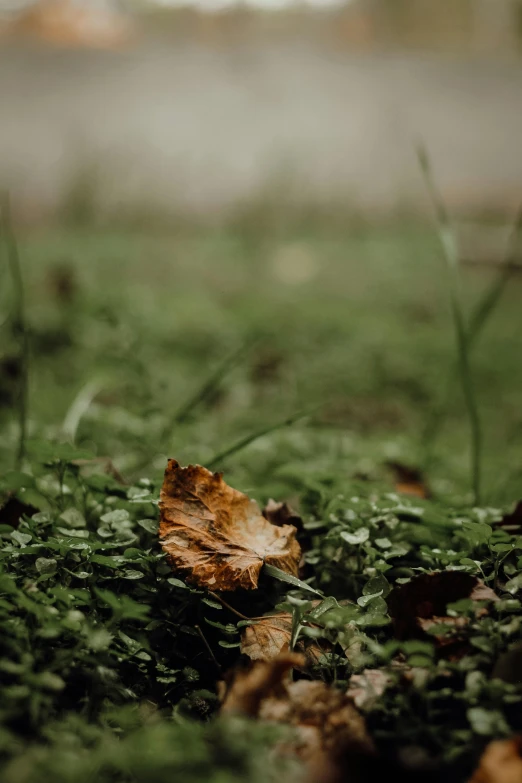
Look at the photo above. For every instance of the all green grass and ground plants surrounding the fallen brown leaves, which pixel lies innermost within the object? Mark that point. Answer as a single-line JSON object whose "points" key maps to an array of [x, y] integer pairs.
{"points": [[302, 364]]}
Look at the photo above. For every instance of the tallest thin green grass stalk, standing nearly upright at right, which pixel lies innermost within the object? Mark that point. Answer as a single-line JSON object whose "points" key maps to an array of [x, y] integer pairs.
{"points": [[451, 255]]}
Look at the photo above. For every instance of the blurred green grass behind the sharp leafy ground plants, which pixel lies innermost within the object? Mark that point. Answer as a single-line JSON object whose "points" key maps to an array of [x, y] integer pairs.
{"points": [[368, 338]]}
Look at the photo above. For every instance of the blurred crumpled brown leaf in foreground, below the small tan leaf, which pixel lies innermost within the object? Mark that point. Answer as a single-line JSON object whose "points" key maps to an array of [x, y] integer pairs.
{"points": [[325, 720]]}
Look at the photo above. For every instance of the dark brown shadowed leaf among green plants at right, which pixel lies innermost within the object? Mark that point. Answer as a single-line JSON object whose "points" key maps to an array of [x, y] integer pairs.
{"points": [[421, 603]]}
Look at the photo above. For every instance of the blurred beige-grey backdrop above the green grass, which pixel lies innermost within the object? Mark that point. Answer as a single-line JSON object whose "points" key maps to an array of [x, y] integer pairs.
{"points": [[199, 108]]}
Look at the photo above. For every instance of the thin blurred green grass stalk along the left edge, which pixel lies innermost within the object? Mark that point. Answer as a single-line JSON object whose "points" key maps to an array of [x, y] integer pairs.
{"points": [[19, 323]]}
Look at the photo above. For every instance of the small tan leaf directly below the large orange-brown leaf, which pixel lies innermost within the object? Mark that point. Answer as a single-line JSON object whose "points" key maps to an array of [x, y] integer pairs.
{"points": [[265, 639]]}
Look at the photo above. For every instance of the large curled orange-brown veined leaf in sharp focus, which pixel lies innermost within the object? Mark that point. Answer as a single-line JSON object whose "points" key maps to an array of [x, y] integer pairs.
{"points": [[216, 535]]}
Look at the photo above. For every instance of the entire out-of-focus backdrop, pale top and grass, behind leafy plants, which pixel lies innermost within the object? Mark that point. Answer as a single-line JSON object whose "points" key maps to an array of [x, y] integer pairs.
{"points": [[222, 221]]}
